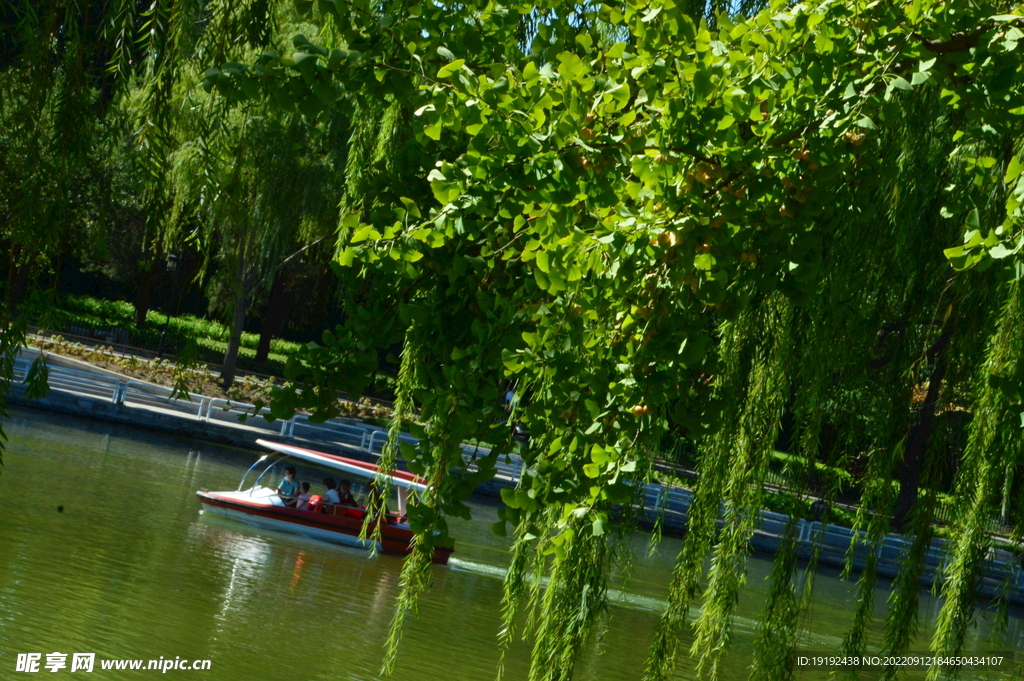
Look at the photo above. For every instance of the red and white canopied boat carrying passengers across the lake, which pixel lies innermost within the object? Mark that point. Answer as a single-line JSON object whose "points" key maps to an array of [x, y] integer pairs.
{"points": [[264, 507]]}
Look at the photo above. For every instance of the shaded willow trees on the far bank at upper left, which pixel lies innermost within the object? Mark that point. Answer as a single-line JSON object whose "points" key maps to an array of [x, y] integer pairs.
{"points": [[116, 156]]}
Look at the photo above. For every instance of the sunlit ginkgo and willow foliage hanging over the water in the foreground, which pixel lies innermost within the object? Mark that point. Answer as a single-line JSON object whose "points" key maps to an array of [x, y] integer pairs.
{"points": [[662, 222]]}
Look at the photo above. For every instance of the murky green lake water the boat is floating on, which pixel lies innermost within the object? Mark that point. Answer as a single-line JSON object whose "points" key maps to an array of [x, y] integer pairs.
{"points": [[133, 570]]}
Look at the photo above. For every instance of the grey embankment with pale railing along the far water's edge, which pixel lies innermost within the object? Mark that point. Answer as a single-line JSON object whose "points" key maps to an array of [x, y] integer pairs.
{"points": [[80, 390]]}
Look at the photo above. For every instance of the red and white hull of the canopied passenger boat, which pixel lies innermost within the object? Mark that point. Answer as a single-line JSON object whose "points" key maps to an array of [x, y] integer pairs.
{"points": [[261, 512]]}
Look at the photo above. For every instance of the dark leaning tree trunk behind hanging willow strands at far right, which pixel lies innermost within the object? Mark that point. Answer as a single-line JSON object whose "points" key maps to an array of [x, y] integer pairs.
{"points": [[921, 433]]}
